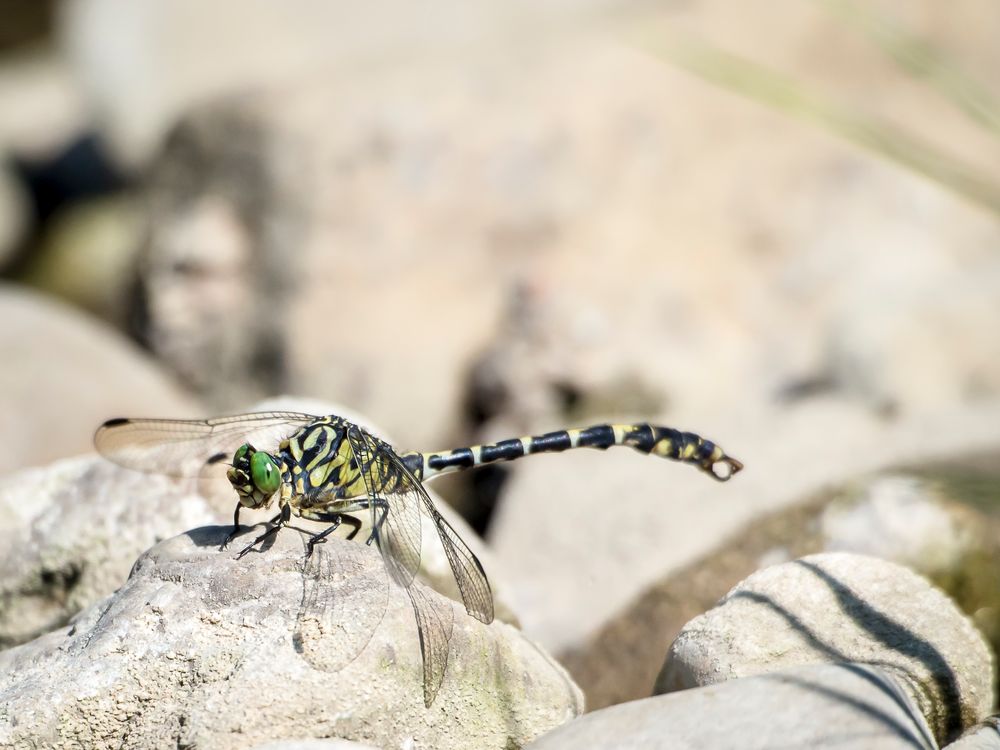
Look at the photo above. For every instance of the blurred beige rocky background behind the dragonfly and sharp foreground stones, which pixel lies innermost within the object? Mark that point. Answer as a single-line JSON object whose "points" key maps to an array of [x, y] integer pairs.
{"points": [[776, 224]]}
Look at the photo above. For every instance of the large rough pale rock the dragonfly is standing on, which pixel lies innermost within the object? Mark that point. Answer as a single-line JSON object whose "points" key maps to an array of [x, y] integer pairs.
{"points": [[201, 649]]}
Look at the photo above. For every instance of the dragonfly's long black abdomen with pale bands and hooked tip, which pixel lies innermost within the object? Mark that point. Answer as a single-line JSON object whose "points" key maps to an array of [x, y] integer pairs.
{"points": [[643, 437]]}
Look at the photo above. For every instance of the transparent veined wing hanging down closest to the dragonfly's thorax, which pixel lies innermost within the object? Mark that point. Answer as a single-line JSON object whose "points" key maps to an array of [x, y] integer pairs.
{"points": [[389, 489]]}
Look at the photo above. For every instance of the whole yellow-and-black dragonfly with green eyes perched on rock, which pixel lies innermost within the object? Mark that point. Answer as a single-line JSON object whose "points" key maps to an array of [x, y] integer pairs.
{"points": [[329, 469]]}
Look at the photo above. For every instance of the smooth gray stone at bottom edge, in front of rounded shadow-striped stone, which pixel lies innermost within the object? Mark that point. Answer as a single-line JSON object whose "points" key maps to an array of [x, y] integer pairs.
{"points": [[823, 706]]}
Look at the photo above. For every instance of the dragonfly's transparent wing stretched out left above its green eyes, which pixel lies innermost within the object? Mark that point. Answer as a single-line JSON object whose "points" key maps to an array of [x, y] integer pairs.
{"points": [[182, 447]]}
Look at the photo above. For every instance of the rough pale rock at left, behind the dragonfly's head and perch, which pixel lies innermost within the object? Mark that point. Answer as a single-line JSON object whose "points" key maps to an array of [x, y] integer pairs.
{"points": [[72, 531]]}
